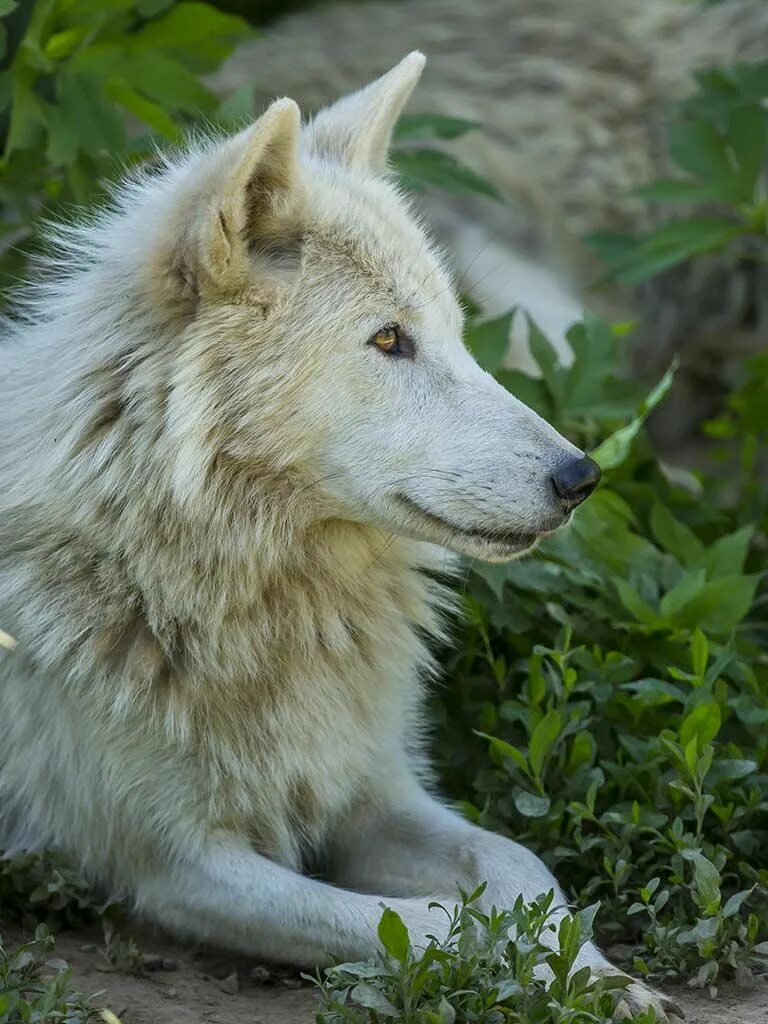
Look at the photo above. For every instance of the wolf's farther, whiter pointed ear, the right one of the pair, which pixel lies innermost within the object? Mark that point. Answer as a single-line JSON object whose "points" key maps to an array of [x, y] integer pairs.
{"points": [[358, 130]]}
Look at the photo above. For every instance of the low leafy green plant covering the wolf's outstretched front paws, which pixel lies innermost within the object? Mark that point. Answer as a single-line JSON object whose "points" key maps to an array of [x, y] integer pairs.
{"points": [[491, 969]]}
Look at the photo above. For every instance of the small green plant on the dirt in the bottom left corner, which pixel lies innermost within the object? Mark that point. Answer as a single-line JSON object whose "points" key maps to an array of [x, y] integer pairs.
{"points": [[36, 989]]}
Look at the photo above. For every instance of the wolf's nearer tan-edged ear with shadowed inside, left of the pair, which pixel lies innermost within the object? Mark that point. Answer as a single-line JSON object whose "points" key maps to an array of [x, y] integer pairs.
{"points": [[258, 193]]}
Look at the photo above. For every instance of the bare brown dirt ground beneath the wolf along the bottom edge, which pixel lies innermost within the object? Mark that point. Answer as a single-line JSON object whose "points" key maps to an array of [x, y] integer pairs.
{"points": [[187, 986]]}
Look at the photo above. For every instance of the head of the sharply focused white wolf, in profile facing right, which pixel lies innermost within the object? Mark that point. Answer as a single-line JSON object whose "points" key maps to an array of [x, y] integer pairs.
{"points": [[322, 340]]}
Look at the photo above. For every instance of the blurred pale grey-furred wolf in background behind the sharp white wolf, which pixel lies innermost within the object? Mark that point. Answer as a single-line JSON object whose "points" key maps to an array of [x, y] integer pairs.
{"points": [[572, 99]]}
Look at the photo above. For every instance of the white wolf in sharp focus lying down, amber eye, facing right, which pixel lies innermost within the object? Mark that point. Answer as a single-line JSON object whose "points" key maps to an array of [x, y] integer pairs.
{"points": [[238, 422]]}
